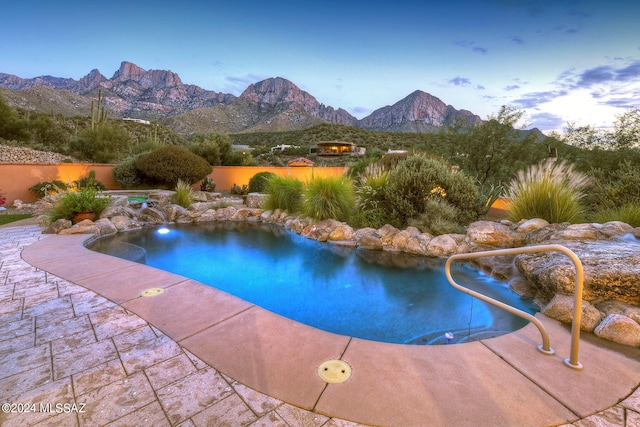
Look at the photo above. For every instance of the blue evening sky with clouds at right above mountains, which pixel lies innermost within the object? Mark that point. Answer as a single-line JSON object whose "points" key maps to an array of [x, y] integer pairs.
{"points": [[559, 62]]}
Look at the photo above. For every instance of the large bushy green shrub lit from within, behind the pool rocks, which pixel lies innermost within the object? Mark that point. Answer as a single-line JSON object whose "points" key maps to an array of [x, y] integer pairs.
{"points": [[418, 179]]}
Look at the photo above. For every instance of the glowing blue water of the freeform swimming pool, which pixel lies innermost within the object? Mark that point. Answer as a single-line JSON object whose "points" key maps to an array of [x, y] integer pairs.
{"points": [[375, 295]]}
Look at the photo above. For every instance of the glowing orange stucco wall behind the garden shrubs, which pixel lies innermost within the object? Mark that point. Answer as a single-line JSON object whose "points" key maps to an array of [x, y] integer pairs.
{"points": [[17, 178]]}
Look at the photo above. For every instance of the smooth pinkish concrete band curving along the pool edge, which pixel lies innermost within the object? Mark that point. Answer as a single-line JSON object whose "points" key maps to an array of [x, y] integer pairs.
{"points": [[499, 381]]}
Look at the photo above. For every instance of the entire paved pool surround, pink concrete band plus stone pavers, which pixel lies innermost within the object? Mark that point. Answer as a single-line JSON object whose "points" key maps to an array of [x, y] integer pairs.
{"points": [[74, 328]]}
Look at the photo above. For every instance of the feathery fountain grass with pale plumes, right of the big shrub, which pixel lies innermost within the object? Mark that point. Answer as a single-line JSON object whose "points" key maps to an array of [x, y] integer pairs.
{"points": [[551, 191]]}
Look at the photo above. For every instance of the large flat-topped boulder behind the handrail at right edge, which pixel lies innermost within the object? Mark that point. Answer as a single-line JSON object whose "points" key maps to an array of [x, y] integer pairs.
{"points": [[611, 270]]}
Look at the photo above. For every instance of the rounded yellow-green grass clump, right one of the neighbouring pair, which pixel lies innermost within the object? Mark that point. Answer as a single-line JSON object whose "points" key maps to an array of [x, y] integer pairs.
{"points": [[329, 198]]}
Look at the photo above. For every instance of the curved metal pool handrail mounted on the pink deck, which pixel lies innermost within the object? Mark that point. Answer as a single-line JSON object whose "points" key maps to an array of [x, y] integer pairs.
{"points": [[545, 348]]}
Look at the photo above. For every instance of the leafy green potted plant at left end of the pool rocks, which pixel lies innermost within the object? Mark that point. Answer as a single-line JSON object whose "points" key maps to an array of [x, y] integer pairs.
{"points": [[87, 203]]}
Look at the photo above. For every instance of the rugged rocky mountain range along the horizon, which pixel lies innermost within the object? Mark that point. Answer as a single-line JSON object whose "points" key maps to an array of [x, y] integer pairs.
{"points": [[274, 104]]}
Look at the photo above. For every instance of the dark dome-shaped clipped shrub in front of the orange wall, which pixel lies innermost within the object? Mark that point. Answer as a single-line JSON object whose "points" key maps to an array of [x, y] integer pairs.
{"points": [[169, 164]]}
